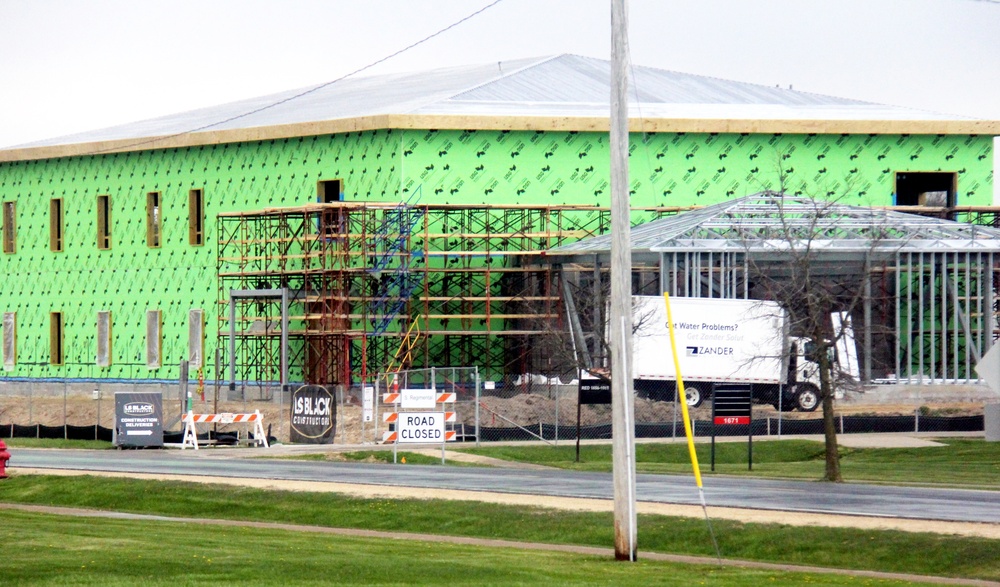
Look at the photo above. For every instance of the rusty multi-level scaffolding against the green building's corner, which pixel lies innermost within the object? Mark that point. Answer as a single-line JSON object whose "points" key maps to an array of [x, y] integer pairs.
{"points": [[364, 277]]}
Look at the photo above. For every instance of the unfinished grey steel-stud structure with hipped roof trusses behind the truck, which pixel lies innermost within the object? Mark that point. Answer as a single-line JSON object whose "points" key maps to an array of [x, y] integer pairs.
{"points": [[930, 284]]}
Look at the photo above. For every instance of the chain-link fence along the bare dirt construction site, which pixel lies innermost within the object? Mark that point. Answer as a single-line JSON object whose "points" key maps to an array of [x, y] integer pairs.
{"points": [[518, 408]]}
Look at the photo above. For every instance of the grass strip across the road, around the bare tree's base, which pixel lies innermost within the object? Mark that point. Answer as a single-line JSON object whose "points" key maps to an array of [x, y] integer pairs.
{"points": [[960, 463]]}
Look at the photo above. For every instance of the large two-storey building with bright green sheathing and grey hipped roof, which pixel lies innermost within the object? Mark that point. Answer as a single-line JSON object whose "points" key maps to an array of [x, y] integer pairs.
{"points": [[122, 246]]}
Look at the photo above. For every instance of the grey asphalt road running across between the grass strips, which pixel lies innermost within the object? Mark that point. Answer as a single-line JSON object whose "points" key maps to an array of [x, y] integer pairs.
{"points": [[851, 499]]}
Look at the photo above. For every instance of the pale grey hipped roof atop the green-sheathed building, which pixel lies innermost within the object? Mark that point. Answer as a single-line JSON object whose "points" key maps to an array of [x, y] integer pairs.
{"points": [[561, 86]]}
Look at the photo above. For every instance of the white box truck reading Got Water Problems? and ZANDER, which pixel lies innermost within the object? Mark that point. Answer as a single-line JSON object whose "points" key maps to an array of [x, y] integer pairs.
{"points": [[722, 341]]}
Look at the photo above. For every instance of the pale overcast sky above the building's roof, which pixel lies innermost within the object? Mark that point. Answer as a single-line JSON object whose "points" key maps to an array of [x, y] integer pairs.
{"points": [[73, 65]]}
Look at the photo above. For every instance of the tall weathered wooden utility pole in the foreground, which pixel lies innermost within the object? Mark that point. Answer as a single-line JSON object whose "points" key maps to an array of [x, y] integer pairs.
{"points": [[620, 314]]}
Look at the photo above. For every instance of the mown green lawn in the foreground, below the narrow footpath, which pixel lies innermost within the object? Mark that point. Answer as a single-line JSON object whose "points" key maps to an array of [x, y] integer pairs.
{"points": [[56, 550]]}
